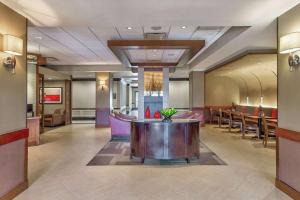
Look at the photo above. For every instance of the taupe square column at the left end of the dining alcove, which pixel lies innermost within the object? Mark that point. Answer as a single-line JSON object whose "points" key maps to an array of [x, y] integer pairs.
{"points": [[196, 87]]}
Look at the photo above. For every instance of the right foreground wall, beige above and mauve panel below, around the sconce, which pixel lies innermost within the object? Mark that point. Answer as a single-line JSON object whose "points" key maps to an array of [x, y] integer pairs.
{"points": [[288, 108]]}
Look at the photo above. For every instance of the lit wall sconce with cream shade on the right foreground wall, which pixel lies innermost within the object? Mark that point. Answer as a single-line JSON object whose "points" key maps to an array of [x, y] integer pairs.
{"points": [[289, 44]]}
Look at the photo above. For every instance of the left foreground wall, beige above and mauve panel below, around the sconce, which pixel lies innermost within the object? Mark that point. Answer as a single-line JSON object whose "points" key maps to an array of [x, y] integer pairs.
{"points": [[12, 106]]}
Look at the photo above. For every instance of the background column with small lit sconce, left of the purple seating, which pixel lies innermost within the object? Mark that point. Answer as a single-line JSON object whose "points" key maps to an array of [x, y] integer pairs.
{"points": [[103, 98]]}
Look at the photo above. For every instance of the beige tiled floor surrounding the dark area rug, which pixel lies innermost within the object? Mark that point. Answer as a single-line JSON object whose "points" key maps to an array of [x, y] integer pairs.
{"points": [[57, 170]]}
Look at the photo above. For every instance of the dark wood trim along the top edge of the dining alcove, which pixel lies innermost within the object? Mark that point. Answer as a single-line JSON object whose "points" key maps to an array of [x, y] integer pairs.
{"points": [[241, 55]]}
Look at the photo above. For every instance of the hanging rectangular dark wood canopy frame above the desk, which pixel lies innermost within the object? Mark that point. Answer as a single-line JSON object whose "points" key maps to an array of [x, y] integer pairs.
{"points": [[149, 53]]}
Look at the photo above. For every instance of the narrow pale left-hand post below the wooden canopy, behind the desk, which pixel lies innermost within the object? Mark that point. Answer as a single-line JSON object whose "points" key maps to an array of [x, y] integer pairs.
{"points": [[141, 108]]}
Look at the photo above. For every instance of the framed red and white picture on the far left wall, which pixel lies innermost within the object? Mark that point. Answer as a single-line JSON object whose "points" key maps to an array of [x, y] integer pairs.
{"points": [[52, 95]]}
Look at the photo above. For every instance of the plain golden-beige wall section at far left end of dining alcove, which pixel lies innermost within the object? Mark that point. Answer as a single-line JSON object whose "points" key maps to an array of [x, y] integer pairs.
{"points": [[221, 91]]}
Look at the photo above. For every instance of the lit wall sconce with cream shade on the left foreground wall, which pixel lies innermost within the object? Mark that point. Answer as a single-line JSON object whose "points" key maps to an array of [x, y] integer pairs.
{"points": [[13, 46]]}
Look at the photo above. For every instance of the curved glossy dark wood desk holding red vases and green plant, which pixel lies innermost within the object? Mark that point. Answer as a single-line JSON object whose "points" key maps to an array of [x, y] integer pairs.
{"points": [[155, 139]]}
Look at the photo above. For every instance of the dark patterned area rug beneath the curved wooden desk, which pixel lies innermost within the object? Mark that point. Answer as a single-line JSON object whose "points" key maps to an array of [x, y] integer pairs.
{"points": [[118, 153]]}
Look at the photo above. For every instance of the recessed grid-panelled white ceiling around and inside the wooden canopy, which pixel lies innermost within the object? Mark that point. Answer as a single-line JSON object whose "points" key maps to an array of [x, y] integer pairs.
{"points": [[88, 45]]}
